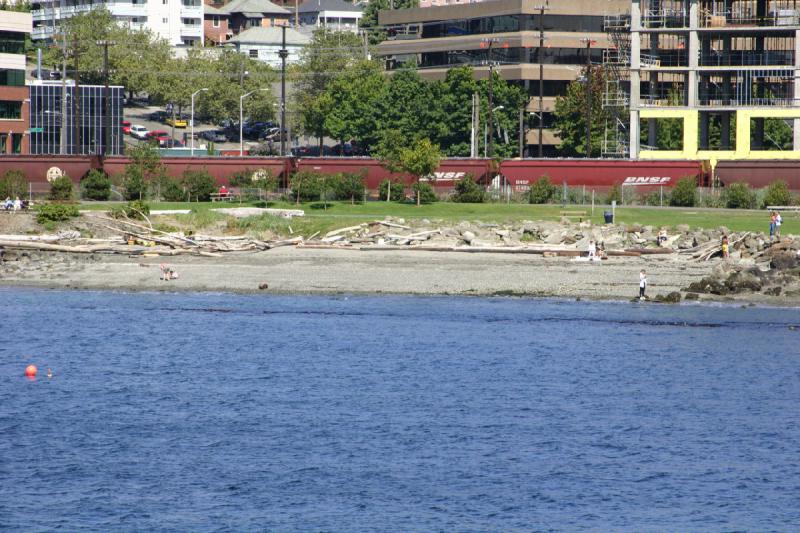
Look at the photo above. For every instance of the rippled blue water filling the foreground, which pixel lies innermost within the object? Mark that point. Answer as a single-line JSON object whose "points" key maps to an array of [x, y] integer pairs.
{"points": [[220, 412]]}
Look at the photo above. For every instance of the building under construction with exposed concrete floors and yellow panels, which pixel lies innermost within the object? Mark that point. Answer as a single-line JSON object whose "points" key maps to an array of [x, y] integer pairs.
{"points": [[714, 79]]}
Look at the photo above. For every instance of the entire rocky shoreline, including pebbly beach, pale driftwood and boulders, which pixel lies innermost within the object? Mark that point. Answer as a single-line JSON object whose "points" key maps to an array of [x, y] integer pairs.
{"points": [[529, 259]]}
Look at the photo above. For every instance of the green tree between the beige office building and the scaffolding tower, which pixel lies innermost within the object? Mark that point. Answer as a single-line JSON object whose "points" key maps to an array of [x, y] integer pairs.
{"points": [[571, 113]]}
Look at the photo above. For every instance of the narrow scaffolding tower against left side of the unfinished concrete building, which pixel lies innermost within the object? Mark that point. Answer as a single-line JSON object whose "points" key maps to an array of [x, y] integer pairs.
{"points": [[616, 63]]}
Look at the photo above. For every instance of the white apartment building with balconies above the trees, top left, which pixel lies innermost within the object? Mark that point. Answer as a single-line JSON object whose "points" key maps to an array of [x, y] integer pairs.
{"points": [[178, 21]]}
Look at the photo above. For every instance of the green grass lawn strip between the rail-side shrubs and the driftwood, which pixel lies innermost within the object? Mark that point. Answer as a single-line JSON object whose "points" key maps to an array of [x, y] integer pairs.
{"points": [[341, 214]]}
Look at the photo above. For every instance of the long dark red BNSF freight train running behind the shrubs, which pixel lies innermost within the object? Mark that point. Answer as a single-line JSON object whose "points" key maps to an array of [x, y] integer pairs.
{"points": [[595, 173]]}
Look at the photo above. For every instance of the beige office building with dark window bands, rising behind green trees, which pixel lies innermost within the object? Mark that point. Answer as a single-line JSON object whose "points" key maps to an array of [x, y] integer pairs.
{"points": [[441, 37]]}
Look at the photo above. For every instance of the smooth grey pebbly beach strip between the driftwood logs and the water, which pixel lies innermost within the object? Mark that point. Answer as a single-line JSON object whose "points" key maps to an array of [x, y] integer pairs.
{"points": [[298, 270]]}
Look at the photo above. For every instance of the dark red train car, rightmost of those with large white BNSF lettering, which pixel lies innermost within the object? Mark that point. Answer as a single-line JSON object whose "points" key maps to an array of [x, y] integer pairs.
{"points": [[600, 173]]}
